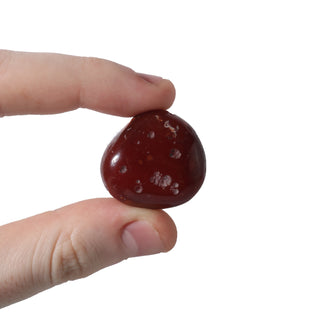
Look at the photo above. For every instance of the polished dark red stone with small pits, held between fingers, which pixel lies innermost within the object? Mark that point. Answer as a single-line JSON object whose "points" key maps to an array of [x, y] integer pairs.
{"points": [[156, 161]]}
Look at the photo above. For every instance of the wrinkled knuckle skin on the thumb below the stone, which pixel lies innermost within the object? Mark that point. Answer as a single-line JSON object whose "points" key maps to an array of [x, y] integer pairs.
{"points": [[69, 259]]}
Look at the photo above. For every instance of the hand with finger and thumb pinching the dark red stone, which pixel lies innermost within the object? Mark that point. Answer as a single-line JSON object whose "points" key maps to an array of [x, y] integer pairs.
{"points": [[72, 242]]}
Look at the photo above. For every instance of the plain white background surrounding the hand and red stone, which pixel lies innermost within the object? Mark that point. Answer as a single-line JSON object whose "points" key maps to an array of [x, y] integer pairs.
{"points": [[247, 75]]}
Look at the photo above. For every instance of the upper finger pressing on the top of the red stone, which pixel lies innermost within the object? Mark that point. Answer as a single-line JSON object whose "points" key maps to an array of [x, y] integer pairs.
{"points": [[44, 83]]}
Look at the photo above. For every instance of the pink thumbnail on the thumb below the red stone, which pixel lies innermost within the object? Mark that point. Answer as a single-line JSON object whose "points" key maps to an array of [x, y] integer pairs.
{"points": [[142, 239]]}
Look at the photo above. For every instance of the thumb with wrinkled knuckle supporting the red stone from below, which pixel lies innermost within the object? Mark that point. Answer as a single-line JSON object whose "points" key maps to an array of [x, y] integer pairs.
{"points": [[75, 241]]}
